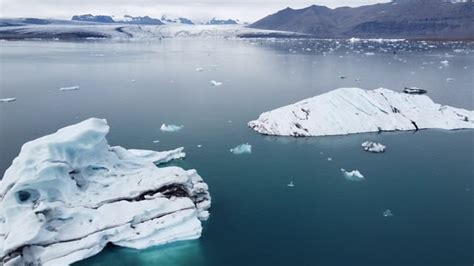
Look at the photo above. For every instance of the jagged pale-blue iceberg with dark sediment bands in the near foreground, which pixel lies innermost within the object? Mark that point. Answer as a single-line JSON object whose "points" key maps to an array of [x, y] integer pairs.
{"points": [[69, 194]]}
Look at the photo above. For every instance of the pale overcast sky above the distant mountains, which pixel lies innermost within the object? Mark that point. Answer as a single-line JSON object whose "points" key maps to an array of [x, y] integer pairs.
{"points": [[245, 10]]}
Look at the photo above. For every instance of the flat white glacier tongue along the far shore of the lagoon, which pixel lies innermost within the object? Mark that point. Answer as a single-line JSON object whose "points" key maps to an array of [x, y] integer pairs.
{"points": [[118, 31]]}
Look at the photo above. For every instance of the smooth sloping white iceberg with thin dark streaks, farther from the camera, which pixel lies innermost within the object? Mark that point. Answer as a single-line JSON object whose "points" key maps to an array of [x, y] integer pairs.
{"points": [[353, 110]]}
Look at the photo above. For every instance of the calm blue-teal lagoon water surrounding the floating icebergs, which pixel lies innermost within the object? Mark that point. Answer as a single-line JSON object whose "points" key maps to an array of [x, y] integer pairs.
{"points": [[425, 178]]}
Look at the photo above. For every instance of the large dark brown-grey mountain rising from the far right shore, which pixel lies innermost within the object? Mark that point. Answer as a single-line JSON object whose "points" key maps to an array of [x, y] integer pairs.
{"points": [[423, 19]]}
